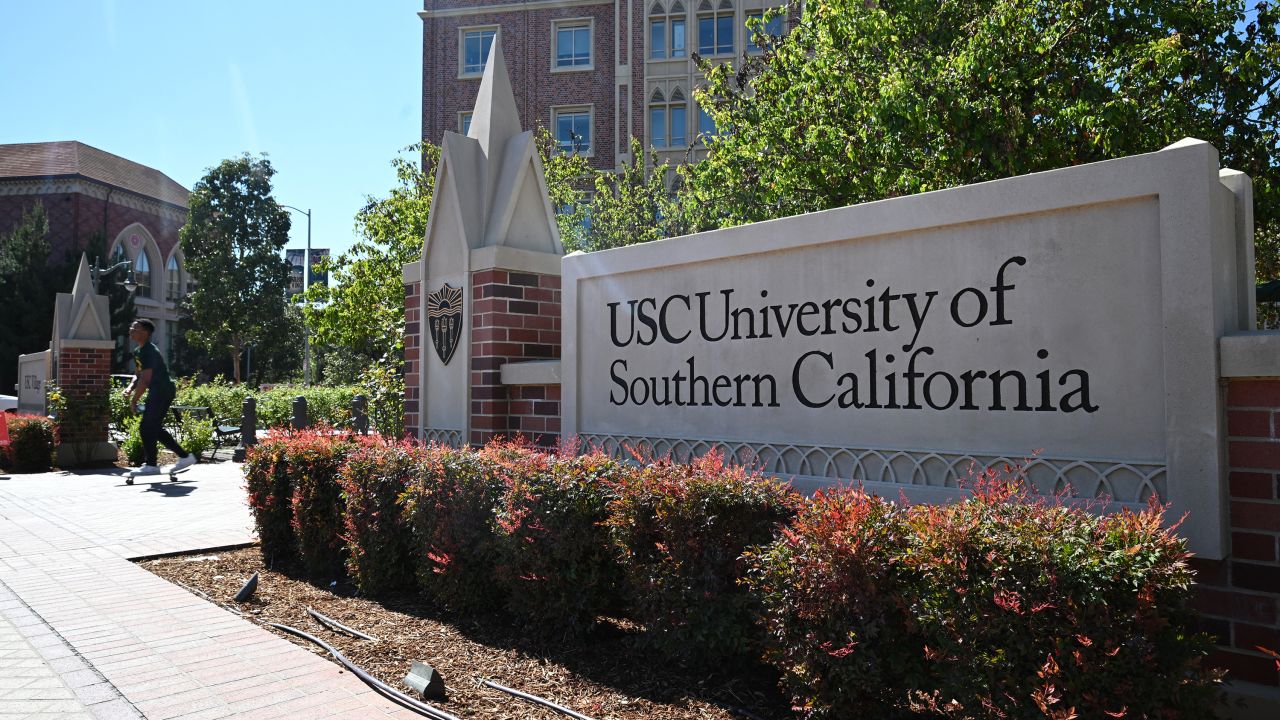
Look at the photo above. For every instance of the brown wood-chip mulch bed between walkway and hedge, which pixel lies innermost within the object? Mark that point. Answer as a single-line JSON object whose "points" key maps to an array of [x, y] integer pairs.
{"points": [[606, 676]]}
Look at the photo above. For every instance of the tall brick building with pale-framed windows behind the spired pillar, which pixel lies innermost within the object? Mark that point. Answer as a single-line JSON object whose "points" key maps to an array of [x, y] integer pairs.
{"points": [[595, 72]]}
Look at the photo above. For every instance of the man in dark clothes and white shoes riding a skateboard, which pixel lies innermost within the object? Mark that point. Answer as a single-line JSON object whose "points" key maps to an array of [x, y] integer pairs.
{"points": [[152, 376]]}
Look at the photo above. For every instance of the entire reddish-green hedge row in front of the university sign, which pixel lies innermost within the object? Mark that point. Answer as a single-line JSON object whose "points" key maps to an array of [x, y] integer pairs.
{"points": [[1002, 605]]}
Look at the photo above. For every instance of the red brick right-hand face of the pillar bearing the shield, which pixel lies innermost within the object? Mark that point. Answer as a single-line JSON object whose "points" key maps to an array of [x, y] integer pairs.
{"points": [[515, 318]]}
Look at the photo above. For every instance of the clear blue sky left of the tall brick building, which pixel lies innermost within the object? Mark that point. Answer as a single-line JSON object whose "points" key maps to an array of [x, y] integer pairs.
{"points": [[330, 90]]}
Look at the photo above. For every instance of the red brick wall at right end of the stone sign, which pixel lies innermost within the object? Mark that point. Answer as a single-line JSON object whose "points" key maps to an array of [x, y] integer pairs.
{"points": [[1241, 595]]}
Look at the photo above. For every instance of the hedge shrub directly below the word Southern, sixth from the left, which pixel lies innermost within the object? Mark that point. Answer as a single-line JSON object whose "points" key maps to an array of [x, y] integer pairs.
{"points": [[682, 532]]}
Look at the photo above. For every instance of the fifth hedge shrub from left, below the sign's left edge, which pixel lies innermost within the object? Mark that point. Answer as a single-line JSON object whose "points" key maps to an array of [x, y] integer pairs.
{"points": [[555, 555]]}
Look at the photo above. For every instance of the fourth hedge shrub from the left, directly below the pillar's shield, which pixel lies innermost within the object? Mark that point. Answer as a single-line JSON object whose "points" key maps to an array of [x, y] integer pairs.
{"points": [[451, 508]]}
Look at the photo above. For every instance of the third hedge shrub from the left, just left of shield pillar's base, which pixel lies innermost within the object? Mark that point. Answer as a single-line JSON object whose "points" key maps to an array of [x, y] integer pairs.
{"points": [[380, 540]]}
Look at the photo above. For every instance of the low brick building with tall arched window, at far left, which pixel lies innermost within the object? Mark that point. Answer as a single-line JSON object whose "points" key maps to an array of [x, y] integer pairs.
{"points": [[86, 192]]}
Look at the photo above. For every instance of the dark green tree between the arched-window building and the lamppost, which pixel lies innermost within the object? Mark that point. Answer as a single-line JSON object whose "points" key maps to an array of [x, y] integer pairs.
{"points": [[232, 244]]}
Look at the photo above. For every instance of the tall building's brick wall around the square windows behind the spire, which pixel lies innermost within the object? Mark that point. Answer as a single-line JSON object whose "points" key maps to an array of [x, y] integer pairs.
{"points": [[528, 47]]}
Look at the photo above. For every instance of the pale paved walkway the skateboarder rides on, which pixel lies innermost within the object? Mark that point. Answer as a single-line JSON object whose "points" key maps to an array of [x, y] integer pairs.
{"points": [[86, 634]]}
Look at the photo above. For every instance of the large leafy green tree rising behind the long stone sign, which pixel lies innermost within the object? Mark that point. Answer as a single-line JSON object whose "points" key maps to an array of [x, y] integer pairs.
{"points": [[866, 101]]}
